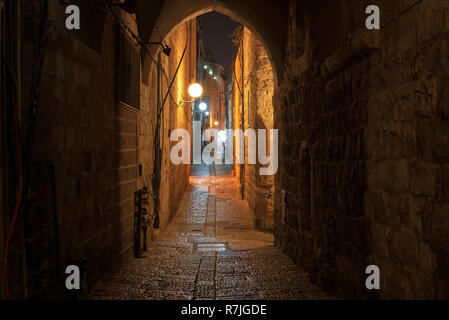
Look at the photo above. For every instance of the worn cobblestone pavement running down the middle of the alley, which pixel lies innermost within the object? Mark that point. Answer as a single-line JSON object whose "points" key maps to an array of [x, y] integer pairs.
{"points": [[211, 251]]}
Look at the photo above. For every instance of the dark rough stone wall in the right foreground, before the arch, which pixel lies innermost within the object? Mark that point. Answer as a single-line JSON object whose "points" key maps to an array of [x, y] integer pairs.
{"points": [[363, 134]]}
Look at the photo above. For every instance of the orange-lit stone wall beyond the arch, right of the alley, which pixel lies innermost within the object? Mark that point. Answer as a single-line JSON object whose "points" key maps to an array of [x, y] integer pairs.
{"points": [[257, 89]]}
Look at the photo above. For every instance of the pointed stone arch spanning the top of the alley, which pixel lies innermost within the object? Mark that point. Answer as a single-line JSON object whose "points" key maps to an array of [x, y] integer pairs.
{"points": [[257, 15]]}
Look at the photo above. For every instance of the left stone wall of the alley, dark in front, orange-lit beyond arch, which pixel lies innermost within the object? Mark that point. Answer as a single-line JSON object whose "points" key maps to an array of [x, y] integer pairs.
{"points": [[102, 150]]}
